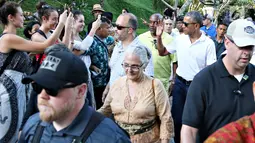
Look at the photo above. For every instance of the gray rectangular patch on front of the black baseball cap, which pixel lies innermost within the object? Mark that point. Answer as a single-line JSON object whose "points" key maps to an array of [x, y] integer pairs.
{"points": [[50, 63]]}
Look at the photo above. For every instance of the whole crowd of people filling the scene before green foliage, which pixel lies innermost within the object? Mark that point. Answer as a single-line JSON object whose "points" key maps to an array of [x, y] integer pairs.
{"points": [[184, 80]]}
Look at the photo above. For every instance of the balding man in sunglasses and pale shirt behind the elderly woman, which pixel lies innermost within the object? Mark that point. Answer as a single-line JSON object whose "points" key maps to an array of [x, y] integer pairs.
{"points": [[125, 31]]}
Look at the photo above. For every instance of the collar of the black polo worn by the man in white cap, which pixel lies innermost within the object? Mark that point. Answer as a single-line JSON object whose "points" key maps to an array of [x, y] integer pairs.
{"points": [[224, 72]]}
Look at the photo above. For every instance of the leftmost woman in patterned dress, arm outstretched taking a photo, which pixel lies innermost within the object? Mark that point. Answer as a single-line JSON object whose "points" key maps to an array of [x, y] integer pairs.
{"points": [[14, 64]]}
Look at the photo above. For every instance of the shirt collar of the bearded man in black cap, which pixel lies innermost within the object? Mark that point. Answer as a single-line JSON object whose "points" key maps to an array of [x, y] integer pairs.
{"points": [[77, 126]]}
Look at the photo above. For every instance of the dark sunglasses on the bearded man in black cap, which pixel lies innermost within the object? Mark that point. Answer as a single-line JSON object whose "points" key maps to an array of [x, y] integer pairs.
{"points": [[52, 92]]}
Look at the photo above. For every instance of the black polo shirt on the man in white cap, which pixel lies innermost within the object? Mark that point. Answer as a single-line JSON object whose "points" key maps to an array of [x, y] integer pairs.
{"points": [[216, 98]]}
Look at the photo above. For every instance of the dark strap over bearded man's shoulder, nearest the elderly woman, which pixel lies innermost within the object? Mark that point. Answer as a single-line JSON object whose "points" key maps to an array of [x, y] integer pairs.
{"points": [[95, 119]]}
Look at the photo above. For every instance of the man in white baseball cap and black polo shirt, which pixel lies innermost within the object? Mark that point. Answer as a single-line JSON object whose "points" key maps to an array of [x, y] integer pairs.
{"points": [[222, 93]]}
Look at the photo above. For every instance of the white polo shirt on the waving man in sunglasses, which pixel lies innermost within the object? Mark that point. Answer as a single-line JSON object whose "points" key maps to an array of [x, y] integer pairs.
{"points": [[192, 57]]}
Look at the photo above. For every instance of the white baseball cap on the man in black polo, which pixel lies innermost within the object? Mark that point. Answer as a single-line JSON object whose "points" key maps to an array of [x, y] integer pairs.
{"points": [[242, 32]]}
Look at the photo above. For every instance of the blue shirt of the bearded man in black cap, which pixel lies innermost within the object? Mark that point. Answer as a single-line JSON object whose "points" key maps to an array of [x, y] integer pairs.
{"points": [[106, 132]]}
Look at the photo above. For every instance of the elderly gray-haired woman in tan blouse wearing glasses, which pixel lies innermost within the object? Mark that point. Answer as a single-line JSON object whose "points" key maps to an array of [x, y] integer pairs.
{"points": [[138, 102]]}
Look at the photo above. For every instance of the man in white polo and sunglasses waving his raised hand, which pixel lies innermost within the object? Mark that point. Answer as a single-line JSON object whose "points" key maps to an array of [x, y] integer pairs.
{"points": [[194, 51]]}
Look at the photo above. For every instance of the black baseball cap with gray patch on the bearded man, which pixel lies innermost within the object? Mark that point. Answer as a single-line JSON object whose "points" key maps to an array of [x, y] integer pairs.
{"points": [[58, 69]]}
